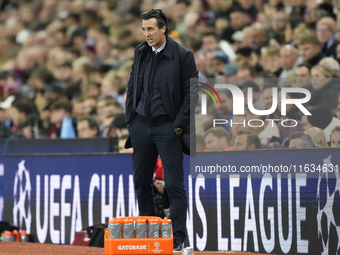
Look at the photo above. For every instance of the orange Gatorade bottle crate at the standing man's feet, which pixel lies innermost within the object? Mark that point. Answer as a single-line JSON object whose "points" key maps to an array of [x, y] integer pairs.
{"points": [[140, 246]]}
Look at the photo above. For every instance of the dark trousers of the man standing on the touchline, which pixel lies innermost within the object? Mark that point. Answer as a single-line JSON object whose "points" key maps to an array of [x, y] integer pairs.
{"points": [[148, 141]]}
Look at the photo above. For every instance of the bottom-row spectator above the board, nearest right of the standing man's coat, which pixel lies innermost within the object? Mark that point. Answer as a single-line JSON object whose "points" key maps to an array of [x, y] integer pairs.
{"points": [[217, 139]]}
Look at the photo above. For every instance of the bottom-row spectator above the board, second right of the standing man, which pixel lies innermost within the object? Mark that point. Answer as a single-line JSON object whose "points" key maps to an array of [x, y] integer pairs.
{"points": [[246, 140]]}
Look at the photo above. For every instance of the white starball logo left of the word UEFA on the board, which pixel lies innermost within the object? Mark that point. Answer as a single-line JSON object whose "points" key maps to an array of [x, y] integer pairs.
{"points": [[22, 197]]}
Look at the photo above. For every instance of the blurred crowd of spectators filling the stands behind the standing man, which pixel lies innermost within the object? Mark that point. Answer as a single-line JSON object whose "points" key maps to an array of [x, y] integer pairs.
{"points": [[65, 66]]}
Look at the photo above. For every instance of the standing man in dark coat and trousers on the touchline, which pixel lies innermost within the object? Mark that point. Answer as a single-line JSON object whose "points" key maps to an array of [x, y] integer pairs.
{"points": [[159, 103]]}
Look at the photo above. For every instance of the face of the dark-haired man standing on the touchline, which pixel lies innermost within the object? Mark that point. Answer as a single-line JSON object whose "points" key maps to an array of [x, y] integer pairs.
{"points": [[153, 35]]}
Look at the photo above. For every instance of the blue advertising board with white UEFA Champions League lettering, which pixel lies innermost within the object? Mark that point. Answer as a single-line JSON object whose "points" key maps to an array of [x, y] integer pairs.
{"points": [[279, 212]]}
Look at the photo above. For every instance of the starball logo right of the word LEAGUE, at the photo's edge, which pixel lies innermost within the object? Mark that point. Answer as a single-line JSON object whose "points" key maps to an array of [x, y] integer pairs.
{"points": [[328, 193]]}
